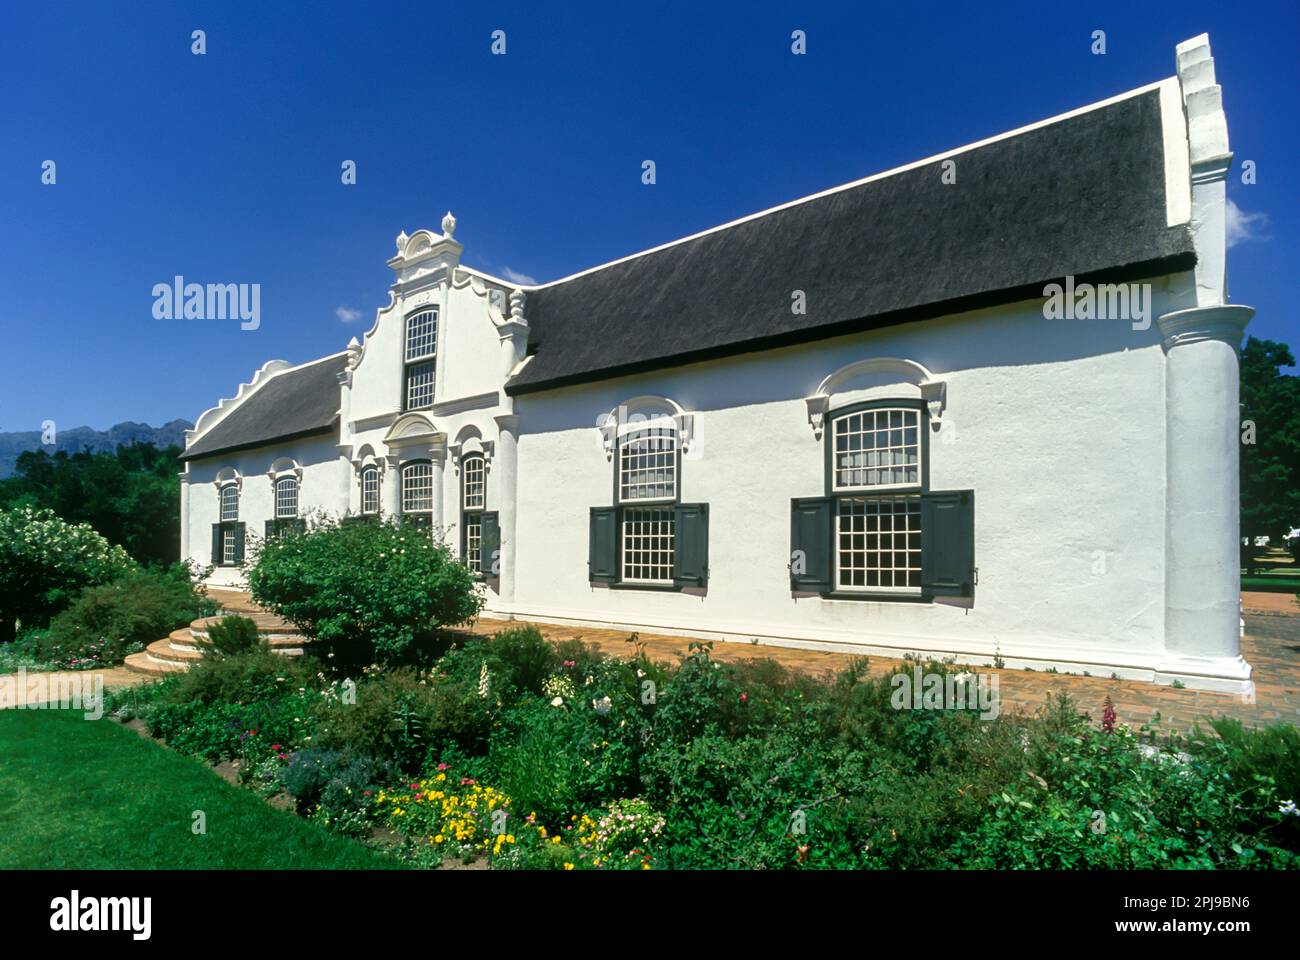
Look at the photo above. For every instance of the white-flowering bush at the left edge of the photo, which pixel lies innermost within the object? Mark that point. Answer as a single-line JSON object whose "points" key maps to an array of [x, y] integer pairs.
{"points": [[45, 564]]}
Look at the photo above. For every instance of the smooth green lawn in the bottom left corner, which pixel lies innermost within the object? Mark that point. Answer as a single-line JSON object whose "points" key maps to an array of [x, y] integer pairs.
{"points": [[79, 794]]}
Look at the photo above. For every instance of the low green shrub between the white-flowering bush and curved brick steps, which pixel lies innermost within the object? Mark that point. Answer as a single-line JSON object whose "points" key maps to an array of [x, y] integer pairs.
{"points": [[111, 621]]}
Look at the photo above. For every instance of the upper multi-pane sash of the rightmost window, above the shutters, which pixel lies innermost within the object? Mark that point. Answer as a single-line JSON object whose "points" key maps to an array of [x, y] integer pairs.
{"points": [[878, 448]]}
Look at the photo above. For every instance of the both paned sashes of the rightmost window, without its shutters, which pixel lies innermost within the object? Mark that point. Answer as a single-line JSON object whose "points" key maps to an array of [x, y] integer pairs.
{"points": [[877, 537]]}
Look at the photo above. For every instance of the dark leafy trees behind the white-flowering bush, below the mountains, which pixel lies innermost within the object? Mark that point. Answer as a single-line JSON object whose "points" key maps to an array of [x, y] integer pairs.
{"points": [[131, 496]]}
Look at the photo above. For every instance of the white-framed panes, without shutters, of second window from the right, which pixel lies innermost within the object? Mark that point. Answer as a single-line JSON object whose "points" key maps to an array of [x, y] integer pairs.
{"points": [[648, 478]]}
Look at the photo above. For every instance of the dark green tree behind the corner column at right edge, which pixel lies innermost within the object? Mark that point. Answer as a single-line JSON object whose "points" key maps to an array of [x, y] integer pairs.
{"points": [[1271, 442]]}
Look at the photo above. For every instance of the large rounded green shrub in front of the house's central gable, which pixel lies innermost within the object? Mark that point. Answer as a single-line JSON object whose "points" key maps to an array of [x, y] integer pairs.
{"points": [[366, 590]]}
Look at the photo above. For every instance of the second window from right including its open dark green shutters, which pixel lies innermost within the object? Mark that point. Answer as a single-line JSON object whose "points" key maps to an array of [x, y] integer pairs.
{"points": [[649, 538]]}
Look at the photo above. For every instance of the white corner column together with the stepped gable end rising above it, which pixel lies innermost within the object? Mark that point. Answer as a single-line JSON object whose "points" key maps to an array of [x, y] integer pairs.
{"points": [[1203, 586]]}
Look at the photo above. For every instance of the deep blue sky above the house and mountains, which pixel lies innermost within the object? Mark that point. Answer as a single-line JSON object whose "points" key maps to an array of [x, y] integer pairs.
{"points": [[226, 168]]}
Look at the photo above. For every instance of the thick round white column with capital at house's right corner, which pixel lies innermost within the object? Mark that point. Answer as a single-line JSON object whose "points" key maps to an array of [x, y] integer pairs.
{"points": [[1203, 586]]}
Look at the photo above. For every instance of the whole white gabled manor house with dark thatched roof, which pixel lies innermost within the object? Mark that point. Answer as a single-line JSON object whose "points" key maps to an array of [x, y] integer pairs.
{"points": [[860, 421]]}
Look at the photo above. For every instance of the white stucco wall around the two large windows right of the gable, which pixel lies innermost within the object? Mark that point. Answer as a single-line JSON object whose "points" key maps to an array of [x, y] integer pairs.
{"points": [[1058, 427]]}
